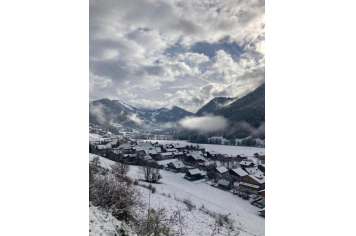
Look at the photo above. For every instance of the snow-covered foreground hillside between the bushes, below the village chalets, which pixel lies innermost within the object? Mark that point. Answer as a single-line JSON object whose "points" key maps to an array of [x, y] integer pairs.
{"points": [[200, 193]]}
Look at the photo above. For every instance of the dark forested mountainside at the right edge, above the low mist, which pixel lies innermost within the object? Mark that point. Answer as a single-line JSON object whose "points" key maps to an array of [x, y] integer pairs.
{"points": [[250, 108]]}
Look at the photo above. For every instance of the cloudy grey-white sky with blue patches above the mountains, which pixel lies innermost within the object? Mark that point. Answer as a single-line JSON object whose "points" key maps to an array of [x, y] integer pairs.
{"points": [[164, 53]]}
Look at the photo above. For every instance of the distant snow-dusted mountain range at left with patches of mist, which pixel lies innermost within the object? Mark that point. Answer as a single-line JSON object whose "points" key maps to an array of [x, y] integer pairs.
{"points": [[105, 110]]}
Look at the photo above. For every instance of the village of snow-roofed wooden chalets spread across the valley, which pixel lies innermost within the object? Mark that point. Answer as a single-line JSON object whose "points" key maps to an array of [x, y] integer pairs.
{"points": [[242, 174]]}
